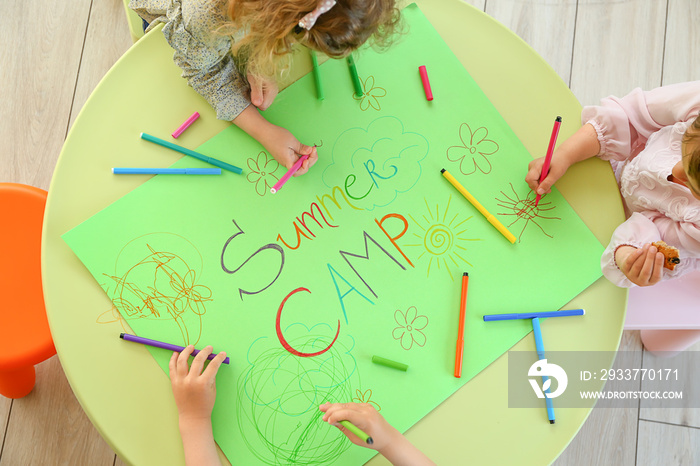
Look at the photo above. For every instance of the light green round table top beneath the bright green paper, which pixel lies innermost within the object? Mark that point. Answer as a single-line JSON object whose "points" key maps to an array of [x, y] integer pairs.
{"points": [[129, 400]]}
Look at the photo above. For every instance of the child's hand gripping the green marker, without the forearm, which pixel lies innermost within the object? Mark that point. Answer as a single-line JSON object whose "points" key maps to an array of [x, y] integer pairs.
{"points": [[365, 418]]}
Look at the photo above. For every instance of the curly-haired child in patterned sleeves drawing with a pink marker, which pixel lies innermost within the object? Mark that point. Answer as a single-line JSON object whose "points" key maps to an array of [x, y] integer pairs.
{"points": [[233, 51]]}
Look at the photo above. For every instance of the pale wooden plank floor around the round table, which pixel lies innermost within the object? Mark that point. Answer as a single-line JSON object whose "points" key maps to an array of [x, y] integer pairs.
{"points": [[53, 54]]}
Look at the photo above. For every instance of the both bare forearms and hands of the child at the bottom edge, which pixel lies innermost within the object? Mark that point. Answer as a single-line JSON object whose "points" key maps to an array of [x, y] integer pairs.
{"points": [[194, 390]]}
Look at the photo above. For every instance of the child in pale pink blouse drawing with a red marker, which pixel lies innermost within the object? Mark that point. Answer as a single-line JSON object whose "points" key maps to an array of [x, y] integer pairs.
{"points": [[652, 140]]}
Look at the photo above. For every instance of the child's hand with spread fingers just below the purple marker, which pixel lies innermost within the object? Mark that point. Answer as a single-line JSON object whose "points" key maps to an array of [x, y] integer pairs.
{"points": [[194, 390]]}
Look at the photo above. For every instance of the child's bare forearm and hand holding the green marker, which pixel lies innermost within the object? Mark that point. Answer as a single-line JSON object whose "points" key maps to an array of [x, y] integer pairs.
{"points": [[387, 440]]}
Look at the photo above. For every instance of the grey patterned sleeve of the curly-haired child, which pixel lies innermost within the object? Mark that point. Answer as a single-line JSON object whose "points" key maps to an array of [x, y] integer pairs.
{"points": [[203, 54]]}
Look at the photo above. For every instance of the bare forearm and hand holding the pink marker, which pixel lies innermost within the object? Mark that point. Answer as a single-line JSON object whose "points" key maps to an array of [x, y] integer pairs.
{"points": [[278, 141]]}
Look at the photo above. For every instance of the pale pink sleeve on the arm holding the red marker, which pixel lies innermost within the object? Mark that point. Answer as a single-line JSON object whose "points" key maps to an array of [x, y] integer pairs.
{"points": [[624, 124]]}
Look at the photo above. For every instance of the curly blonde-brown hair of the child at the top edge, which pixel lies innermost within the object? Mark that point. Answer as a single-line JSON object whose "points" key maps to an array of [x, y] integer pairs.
{"points": [[272, 29]]}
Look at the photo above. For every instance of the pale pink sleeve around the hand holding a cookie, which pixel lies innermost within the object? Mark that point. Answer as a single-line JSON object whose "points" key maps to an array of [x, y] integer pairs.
{"points": [[641, 229]]}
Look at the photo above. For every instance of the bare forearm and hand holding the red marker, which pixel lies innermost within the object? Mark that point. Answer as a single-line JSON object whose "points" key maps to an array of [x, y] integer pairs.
{"points": [[582, 145]]}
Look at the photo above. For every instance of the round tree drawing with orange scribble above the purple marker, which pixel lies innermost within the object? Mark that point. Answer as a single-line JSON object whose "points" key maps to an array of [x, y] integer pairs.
{"points": [[155, 284]]}
